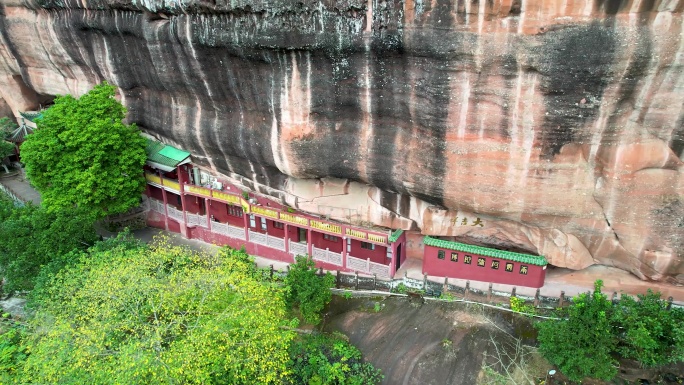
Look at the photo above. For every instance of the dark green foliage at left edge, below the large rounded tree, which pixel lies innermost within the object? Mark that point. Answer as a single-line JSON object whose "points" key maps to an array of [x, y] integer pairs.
{"points": [[31, 237]]}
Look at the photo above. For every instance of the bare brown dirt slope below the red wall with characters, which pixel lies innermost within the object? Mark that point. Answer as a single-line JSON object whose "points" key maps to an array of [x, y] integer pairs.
{"points": [[429, 343]]}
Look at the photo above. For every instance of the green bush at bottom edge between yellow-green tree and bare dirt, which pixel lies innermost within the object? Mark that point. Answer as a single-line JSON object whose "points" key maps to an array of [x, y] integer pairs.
{"points": [[329, 360]]}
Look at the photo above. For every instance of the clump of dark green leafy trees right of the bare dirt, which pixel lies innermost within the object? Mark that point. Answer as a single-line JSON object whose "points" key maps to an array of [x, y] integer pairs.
{"points": [[596, 333]]}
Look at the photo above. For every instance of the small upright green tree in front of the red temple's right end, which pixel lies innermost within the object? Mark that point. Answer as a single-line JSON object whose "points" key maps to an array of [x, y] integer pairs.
{"points": [[306, 290]]}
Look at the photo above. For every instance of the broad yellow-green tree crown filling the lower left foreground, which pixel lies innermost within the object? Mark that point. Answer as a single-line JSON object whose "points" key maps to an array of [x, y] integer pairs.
{"points": [[138, 314]]}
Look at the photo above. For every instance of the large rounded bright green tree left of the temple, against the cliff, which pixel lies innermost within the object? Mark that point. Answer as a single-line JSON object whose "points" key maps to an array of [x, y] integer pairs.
{"points": [[82, 154]]}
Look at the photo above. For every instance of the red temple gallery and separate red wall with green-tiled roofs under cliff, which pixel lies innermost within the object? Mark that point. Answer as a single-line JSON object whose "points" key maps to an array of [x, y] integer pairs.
{"points": [[186, 199]]}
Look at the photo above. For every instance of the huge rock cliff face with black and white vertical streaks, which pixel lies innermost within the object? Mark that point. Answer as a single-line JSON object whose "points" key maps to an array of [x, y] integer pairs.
{"points": [[554, 127]]}
